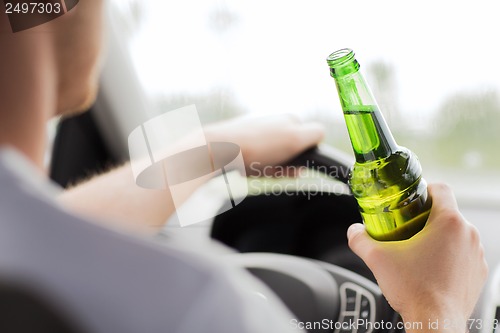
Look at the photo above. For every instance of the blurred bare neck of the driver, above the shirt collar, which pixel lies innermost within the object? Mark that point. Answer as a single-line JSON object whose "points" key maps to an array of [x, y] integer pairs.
{"points": [[27, 98]]}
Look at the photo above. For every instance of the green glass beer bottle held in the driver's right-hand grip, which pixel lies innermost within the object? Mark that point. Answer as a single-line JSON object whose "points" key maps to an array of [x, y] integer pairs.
{"points": [[386, 179]]}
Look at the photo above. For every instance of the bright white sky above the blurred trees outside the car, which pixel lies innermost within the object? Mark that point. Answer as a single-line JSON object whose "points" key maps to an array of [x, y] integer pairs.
{"points": [[271, 54]]}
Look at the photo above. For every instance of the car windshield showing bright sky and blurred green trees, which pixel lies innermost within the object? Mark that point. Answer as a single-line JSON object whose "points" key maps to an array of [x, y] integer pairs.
{"points": [[432, 66]]}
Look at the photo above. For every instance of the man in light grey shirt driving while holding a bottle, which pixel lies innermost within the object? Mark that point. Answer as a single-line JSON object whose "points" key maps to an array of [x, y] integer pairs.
{"points": [[107, 281]]}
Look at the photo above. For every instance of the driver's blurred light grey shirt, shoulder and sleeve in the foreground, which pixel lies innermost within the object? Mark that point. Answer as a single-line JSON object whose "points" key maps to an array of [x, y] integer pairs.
{"points": [[114, 282]]}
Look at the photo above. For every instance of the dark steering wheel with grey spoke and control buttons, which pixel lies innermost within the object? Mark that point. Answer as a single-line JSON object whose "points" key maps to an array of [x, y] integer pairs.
{"points": [[296, 244]]}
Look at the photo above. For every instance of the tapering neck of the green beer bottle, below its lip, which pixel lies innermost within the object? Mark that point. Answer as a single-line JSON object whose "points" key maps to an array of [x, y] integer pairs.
{"points": [[370, 136]]}
